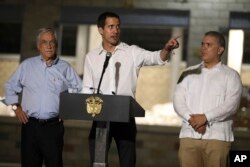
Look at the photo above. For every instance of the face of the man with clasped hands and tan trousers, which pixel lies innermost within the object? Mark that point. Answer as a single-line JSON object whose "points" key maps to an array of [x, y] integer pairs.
{"points": [[211, 50]]}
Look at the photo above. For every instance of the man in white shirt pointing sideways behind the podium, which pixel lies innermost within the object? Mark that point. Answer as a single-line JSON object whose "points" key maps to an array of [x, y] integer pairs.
{"points": [[119, 78]]}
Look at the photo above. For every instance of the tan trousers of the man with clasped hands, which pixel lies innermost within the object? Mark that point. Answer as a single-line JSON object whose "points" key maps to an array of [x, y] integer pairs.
{"points": [[203, 153]]}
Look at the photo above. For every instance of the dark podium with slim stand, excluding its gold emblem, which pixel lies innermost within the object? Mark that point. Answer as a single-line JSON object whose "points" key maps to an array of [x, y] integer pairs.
{"points": [[115, 108]]}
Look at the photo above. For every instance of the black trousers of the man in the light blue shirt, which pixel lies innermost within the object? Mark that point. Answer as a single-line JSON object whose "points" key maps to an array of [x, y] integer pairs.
{"points": [[42, 142]]}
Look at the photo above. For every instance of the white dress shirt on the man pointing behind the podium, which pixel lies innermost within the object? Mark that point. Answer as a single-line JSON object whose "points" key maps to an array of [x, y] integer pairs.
{"points": [[122, 72]]}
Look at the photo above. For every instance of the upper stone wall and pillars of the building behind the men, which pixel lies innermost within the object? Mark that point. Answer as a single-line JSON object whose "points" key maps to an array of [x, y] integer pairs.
{"points": [[205, 15]]}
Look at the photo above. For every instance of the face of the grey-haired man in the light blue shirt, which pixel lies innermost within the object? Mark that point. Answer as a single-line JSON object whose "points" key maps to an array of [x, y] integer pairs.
{"points": [[47, 45]]}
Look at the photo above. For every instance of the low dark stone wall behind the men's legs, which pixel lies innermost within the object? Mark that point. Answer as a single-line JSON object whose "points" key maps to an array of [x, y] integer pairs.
{"points": [[156, 145]]}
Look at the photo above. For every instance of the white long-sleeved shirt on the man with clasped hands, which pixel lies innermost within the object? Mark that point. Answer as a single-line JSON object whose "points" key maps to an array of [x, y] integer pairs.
{"points": [[215, 92]]}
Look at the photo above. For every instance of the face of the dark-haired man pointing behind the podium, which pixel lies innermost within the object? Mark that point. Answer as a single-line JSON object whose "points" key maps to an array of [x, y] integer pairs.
{"points": [[111, 31]]}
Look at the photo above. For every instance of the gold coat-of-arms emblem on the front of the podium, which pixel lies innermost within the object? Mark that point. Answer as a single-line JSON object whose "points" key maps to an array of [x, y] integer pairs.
{"points": [[94, 105]]}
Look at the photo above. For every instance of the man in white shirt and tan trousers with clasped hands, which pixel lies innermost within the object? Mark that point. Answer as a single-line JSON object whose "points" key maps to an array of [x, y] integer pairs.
{"points": [[206, 98]]}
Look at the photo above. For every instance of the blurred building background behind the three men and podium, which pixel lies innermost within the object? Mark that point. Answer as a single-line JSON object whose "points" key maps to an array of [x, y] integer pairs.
{"points": [[146, 23]]}
